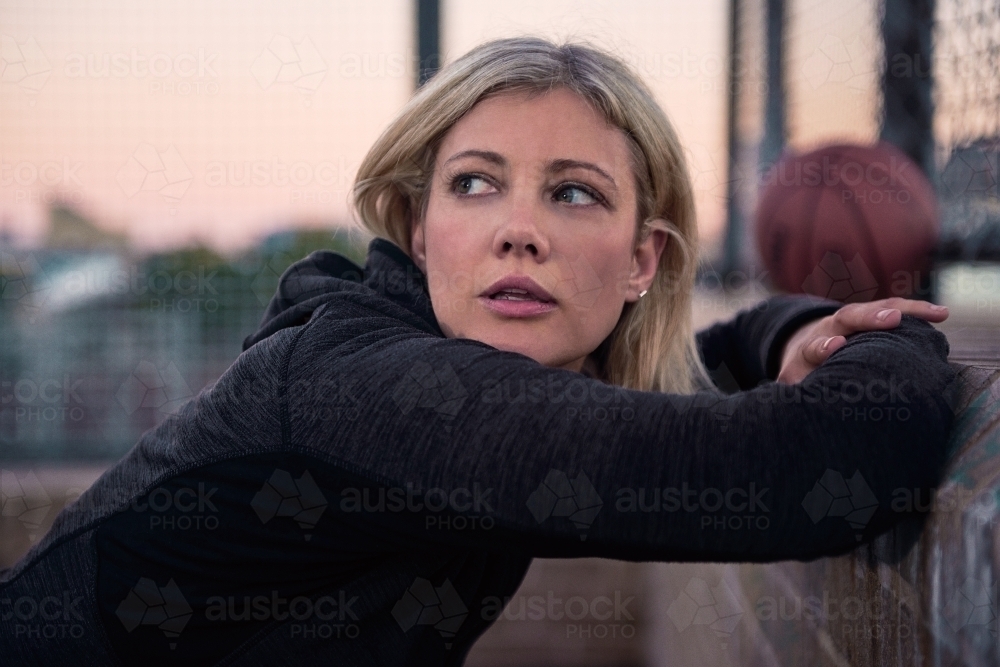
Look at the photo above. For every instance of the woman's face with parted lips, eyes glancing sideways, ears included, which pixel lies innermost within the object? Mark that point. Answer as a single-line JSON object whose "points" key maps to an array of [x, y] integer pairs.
{"points": [[528, 236]]}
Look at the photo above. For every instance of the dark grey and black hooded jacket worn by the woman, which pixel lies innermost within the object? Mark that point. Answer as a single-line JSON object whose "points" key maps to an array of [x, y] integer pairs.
{"points": [[358, 489]]}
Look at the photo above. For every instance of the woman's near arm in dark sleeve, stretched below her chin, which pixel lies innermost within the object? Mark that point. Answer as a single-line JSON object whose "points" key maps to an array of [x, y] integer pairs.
{"points": [[561, 465]]}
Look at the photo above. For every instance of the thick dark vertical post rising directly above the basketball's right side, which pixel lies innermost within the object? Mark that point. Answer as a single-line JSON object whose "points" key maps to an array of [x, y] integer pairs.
{"points": [[907, 79]]}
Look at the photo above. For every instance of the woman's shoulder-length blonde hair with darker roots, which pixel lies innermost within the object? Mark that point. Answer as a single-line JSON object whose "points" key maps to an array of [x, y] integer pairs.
{"points": [[652, 347]]}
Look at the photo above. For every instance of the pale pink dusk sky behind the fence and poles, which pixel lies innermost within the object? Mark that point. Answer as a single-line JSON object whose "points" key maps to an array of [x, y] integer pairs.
{"points": [[147, 115]]}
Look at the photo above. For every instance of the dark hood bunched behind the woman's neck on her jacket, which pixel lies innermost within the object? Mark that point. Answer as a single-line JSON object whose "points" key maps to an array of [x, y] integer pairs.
{"points": [[315, 280]]}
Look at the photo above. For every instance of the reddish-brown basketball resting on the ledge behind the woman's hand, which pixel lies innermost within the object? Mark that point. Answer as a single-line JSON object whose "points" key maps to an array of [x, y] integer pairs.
{"points": [[847, 222]]}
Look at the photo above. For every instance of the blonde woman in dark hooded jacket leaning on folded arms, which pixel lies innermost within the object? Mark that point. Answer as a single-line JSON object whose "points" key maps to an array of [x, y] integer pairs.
{"points": [[512, 375]]}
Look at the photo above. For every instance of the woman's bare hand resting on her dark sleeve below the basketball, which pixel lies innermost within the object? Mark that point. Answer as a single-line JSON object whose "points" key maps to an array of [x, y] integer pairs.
{"points": [[811, 345]]}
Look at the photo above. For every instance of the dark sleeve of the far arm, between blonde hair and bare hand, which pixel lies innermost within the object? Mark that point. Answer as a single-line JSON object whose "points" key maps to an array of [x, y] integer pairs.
{"points": [[750, 344]]}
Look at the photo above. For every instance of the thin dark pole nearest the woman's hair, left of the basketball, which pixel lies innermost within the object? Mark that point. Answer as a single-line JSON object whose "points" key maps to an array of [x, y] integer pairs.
{"points": [[734, 222]]}
